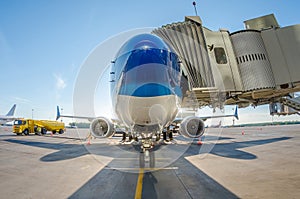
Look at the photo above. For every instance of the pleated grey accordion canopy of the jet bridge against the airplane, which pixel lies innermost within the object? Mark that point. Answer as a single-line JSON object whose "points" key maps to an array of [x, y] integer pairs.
{"points": [[187, 39]]}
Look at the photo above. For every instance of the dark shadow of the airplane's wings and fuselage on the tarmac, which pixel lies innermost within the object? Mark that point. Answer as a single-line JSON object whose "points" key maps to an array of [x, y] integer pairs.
{"points": [[186, 181]]}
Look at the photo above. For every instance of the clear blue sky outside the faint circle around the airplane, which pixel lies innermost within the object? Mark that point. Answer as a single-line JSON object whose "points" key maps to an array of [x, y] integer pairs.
{"points": [[44, 43]]}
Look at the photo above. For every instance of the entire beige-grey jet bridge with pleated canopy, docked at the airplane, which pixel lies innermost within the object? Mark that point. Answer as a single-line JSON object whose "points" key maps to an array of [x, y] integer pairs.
{"points": [[258, 65]]}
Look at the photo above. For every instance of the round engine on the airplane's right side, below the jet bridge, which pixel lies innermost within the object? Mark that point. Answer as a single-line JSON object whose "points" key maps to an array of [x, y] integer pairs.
{"points": [[192, 127]]}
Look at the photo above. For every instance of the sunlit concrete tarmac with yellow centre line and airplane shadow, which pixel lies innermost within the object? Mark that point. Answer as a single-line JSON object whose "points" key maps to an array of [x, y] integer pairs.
{"points": [[256, 162]]}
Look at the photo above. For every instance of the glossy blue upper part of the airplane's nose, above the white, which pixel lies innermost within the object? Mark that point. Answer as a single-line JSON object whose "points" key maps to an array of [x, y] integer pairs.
{"points": [[149, 67]]}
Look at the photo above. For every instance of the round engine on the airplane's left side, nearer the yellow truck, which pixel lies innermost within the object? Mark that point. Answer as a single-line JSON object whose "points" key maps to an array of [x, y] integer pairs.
{"points": [[102, 128]]}
